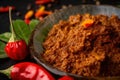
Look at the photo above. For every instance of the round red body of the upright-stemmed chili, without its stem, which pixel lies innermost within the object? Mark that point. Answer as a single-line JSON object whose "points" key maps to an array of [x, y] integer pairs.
{"points": [[16, 50]]}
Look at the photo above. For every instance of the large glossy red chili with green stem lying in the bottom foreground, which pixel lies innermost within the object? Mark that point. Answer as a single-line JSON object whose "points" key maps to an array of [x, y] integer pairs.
{"points": [[28, 71]]}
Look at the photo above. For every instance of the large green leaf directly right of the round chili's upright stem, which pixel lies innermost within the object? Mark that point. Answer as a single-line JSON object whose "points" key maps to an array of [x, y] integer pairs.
{"points": [[22, 30]]}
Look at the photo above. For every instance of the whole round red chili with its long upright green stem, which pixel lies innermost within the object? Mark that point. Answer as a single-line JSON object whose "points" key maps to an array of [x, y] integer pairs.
{"points": [[15, 49]]}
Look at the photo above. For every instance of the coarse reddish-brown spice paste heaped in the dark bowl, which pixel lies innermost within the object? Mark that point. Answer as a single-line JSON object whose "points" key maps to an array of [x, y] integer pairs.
{"points": [[85, 48]]}
